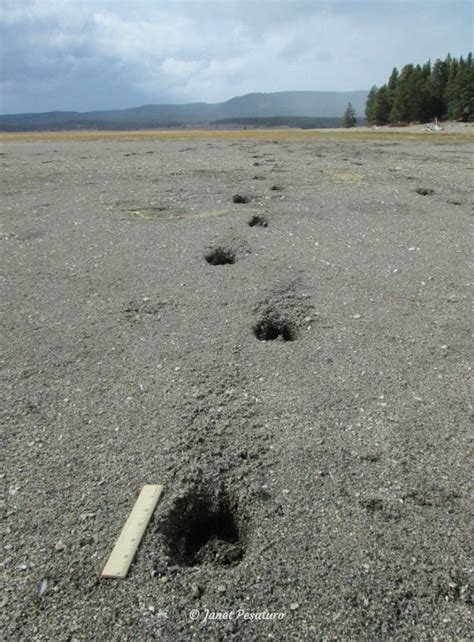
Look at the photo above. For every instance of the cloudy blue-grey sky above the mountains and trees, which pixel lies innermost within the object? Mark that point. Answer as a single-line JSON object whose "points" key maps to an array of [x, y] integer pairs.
{"points": [[85, 55]]}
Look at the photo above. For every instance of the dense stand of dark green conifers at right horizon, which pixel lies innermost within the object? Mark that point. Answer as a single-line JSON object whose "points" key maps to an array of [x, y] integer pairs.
{"points": [[444, 89]]}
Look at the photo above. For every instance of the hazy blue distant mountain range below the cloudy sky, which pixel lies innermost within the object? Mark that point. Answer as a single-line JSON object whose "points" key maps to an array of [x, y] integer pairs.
{"points": [[314, 104]]}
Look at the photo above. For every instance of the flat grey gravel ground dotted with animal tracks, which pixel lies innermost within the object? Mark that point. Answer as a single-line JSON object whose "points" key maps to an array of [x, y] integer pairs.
{"points": [[294, 369]]}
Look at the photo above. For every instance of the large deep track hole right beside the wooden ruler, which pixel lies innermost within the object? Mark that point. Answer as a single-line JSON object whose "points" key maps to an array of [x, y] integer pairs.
{"points": [[204, 530]]}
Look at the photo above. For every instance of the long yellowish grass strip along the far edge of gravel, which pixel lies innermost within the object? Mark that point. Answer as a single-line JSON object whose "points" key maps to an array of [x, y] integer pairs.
{"points": [[259, 134]]}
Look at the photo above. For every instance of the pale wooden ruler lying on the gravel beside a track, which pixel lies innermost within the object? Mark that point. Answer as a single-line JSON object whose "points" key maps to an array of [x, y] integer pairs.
{"points": [[126, 546]]}
